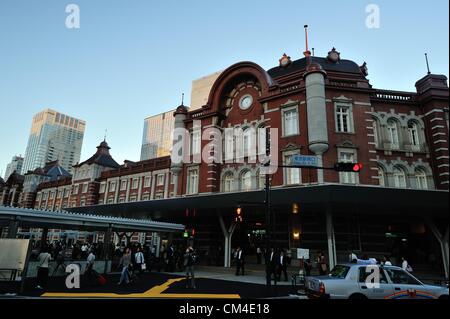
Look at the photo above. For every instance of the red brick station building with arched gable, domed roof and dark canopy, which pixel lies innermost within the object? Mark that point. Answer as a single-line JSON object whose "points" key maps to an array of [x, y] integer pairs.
{"points": [[323, 106]]}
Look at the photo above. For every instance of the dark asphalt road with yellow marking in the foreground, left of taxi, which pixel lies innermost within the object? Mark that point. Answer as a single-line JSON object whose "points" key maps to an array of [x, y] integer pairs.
{"points": [[151, 285]]}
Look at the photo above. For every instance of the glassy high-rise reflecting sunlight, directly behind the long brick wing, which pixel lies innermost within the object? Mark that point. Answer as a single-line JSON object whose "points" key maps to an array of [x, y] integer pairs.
{"points": [[158, 135]]}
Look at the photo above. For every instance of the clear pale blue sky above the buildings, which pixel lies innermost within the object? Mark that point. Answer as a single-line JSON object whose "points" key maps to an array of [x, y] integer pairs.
{"points": [[131, 59]]}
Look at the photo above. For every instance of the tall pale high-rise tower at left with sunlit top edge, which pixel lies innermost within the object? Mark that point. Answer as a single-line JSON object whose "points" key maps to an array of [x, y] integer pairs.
{"points": [[54, 136]]}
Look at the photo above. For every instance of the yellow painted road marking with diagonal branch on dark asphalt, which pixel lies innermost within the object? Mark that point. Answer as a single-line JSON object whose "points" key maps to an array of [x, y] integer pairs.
{"points": [[155, 292]]}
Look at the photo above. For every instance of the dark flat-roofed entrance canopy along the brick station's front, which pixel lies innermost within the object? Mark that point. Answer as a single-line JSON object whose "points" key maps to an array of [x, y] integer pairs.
{"points": [[333, 218]]}
